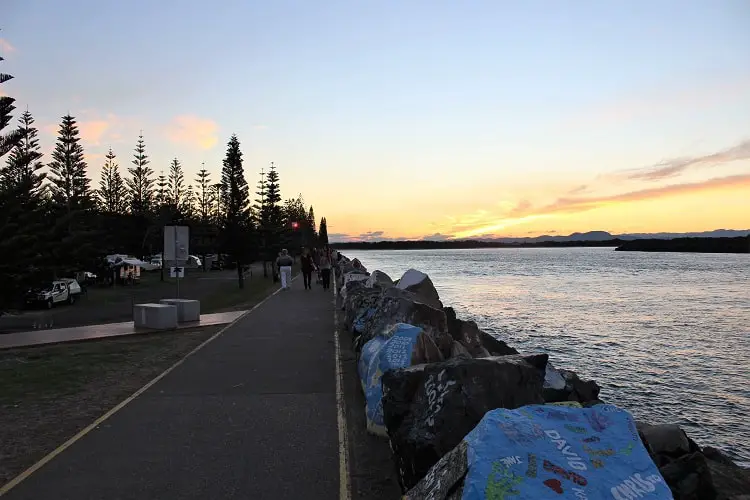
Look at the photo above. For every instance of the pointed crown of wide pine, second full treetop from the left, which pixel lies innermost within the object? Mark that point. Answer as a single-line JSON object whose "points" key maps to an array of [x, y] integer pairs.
{"points": [[69, 184]]}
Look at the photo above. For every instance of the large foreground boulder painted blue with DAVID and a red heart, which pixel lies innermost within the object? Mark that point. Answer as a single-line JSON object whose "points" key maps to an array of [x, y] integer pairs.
{"points": [[534, 451]]}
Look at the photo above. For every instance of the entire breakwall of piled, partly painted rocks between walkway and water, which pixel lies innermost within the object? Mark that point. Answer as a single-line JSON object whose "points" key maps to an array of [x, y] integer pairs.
{"points": [[468, 416]]}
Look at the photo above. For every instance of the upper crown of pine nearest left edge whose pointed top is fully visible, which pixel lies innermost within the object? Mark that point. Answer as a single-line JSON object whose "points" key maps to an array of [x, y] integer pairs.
{"points": [[23, 167]]}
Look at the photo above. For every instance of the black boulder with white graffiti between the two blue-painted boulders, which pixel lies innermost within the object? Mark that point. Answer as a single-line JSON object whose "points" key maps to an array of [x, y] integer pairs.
{"points": [[429, 408]]}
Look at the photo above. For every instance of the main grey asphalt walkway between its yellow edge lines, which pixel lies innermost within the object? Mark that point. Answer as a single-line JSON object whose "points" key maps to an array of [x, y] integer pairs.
{"points": [[251, 415]]}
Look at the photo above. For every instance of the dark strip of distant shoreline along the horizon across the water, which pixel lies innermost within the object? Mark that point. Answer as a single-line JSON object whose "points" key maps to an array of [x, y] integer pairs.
{"points": [[687, 245]]}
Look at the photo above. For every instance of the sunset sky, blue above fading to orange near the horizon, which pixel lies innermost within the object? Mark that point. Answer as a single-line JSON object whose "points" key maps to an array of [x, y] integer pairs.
{"points": [[408, 119]]}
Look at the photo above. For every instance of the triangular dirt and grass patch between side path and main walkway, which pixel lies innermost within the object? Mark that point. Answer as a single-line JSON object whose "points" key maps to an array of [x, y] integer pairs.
{"points": [[48, 394]]}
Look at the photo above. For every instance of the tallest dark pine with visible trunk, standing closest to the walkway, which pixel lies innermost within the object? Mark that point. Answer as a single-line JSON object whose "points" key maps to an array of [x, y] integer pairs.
{"points": [[236, 201]]}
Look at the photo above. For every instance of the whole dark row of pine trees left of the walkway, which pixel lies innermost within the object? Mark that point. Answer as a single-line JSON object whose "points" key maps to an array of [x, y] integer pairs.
{"points": [[54, 222]]}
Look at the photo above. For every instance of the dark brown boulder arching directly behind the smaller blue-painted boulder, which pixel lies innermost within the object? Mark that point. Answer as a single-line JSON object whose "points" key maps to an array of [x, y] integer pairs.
{"points": [[400, 306]]}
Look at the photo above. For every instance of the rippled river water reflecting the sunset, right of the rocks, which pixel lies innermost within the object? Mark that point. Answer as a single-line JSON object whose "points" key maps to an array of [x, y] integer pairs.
{"points": [[666, 335]]}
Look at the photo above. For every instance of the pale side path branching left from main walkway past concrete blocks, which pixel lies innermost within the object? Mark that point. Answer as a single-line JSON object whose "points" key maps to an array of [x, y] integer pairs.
{"points": [[76, 333]]}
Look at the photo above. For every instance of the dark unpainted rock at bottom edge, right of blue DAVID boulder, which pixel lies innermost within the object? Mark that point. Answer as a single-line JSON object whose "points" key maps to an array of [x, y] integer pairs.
{"points": [[689, 478]]}
